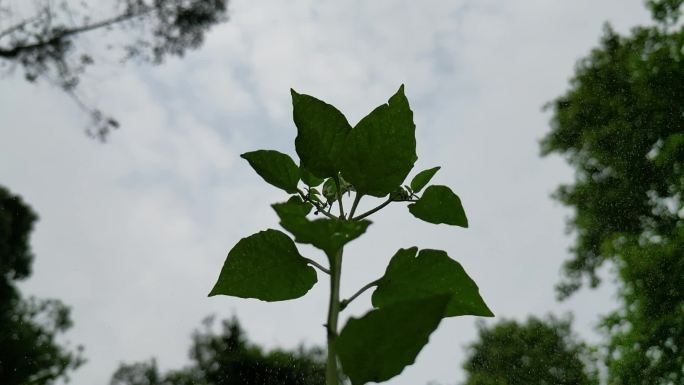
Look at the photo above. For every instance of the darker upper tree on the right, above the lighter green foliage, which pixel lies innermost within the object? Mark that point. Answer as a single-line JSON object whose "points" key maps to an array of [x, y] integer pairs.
{"points": [[621, 126]]}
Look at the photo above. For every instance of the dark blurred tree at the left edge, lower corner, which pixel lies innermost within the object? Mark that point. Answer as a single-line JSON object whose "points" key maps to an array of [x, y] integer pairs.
{"points": [[29, 351]]}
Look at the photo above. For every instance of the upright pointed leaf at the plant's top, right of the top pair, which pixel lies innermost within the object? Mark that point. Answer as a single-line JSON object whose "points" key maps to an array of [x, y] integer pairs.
{"points": [[381, 150]]}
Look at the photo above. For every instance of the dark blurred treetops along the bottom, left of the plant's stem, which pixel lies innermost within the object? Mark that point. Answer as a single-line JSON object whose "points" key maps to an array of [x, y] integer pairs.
{"points": [[227, 358]]}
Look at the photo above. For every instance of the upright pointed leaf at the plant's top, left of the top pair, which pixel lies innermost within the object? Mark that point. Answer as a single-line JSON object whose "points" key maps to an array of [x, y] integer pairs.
{"points": [[321, 132]]}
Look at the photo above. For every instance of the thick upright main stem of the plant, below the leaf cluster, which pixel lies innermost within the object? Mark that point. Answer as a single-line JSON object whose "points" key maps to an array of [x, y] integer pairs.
{"points": [[331, 374]]}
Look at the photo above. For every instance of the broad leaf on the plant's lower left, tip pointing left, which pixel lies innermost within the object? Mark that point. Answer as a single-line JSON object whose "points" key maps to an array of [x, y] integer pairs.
{"points": [[266, 266]]}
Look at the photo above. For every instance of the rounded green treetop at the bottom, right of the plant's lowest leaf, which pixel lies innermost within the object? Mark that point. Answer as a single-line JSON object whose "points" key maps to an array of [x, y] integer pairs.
{"points": [[537, 352]]}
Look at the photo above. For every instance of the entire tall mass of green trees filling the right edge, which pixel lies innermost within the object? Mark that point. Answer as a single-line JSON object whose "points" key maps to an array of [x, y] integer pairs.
{"points": [[621, 126]]}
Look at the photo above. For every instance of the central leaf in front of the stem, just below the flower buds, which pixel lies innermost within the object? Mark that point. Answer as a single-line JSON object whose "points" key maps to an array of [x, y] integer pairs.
{"points": [[326, 234]]}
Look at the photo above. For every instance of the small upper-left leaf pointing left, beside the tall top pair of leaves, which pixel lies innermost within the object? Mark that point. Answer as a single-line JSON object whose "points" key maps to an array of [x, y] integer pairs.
{"points": [[275, 167]]}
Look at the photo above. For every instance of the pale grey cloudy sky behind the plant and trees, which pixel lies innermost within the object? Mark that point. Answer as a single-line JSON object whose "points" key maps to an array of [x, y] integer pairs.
{"points": [[132, 233]]}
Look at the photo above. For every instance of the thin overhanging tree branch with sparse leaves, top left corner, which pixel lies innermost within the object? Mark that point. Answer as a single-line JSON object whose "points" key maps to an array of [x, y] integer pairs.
{"points": [[47, 42]]}
